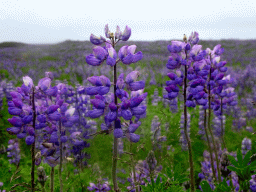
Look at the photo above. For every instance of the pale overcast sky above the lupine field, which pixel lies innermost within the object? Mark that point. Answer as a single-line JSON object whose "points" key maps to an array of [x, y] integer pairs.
{"points": [[53, 21]]}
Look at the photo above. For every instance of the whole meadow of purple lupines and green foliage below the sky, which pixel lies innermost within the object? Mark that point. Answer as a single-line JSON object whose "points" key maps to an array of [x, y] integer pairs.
{"points": [[74, 130]]}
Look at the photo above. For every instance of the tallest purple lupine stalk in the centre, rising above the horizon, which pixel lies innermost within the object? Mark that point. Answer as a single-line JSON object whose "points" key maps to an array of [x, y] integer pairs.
{"points": [[128, 108]]}
